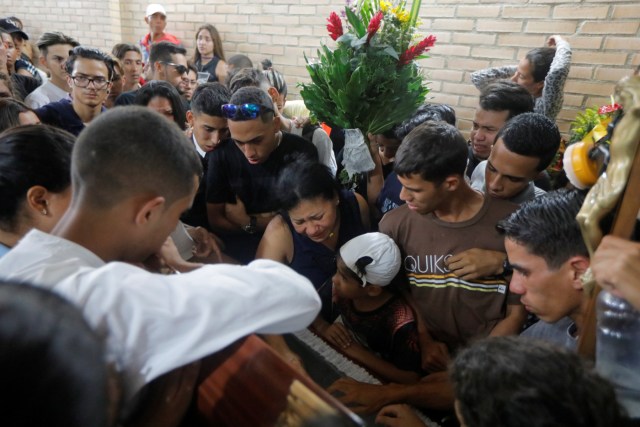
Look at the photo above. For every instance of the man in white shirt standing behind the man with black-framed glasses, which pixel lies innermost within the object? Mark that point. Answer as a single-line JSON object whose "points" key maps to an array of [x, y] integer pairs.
{"points": [[54, 50]]}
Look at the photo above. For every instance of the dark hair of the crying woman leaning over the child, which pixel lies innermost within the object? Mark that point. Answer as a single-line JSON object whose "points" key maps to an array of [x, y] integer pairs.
{"points": [[305, 180]]}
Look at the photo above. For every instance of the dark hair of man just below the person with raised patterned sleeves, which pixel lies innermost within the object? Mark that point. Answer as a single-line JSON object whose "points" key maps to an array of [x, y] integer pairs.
{"points": [[506, 96]]}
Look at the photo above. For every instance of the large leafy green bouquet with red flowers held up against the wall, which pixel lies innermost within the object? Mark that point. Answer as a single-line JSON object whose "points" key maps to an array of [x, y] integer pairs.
{"points": [[370, 81]]}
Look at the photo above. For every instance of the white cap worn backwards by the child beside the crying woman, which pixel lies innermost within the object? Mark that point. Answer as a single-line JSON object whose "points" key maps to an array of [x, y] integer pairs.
{"points": [[374, 257]]}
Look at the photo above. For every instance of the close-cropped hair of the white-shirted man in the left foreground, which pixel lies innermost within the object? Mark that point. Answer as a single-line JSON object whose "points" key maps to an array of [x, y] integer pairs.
{"points": [[129, 151]]}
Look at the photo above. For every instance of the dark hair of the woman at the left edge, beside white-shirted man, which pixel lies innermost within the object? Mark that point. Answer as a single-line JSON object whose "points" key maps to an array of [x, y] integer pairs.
{"points": [[31, 155]]}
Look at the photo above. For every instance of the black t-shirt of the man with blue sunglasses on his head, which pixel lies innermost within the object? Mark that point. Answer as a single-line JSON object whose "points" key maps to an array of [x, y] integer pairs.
{"points": [[230, 174]]}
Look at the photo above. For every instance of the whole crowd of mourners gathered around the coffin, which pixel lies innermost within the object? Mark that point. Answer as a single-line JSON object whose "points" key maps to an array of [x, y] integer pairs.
{"points": [[177, 205]]}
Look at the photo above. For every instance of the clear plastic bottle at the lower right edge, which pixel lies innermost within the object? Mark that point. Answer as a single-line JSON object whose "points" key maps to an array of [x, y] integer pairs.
{"points": [[618, 349]]}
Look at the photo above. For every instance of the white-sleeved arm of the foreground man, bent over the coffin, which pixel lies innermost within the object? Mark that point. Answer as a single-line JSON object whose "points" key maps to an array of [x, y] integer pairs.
{"points": [[163, 322]]}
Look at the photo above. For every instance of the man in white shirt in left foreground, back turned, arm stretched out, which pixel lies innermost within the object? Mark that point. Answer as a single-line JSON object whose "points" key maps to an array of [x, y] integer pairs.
{"points": [[133, 174]]}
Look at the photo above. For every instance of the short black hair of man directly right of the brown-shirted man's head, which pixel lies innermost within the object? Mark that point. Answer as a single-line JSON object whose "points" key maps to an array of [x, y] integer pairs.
{"points": [[532, 135]]}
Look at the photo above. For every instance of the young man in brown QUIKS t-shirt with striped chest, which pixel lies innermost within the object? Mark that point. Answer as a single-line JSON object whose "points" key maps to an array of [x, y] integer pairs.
{"points": [[443, 216]]}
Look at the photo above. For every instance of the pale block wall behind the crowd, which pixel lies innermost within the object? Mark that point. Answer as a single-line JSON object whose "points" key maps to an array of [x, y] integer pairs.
{"points": [[472, 34]]}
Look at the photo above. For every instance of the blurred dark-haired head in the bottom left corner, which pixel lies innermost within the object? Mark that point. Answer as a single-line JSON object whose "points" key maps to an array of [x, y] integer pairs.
{"points": [[42, 384]]}
